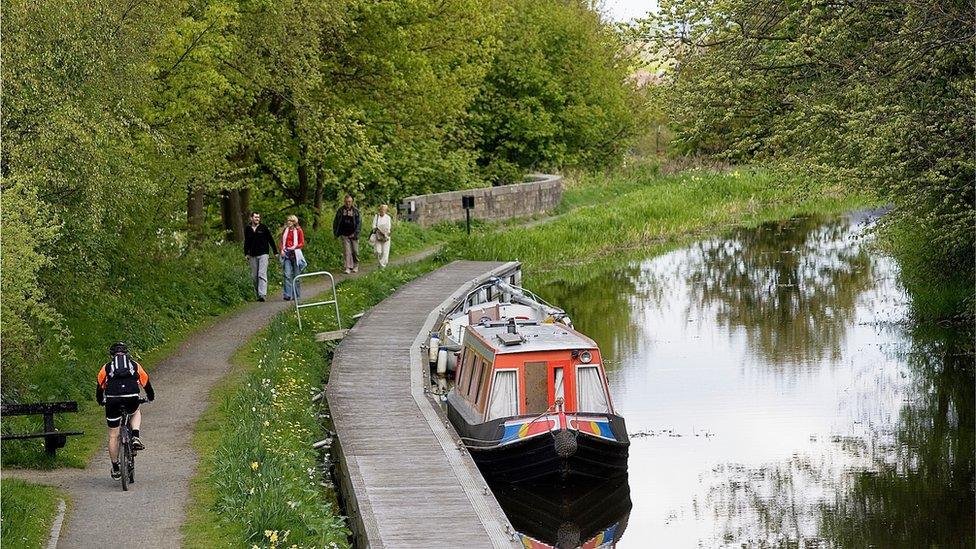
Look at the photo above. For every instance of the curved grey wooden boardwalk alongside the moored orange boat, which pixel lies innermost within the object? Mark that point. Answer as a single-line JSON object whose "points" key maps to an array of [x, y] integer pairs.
{"points": [[405, 481]]}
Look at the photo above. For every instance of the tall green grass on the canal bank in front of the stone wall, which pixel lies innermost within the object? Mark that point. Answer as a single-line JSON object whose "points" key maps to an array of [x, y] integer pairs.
{"points": [[650, 211]]}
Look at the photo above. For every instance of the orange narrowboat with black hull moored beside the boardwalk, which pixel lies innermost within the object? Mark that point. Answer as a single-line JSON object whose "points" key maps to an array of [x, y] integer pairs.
{"points": [[532, 405]]}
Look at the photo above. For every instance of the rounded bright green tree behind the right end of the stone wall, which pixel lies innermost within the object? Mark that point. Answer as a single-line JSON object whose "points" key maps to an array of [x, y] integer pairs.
{"points": [[555, 95]]}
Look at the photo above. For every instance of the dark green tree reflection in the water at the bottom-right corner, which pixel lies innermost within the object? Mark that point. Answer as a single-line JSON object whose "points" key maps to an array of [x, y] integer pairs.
{"points": [[920, 492]]}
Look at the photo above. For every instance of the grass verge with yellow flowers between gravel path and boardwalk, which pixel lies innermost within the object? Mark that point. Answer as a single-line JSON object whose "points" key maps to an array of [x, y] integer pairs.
{"points": [[259, 480]]}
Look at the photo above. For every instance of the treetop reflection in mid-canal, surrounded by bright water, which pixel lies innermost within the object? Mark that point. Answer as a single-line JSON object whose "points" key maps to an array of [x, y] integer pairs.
{"points": [[791, 287]]}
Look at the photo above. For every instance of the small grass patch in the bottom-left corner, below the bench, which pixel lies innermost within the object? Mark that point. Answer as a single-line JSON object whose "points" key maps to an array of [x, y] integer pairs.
{"points": [[28, 512]]}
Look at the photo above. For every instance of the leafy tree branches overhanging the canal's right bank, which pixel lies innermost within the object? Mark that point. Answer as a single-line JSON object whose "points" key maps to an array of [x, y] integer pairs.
{"points": [[872, 94]]}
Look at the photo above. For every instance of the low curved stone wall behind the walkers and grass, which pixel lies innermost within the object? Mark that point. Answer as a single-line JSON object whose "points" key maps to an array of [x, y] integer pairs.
{"points": [[540, 194]]}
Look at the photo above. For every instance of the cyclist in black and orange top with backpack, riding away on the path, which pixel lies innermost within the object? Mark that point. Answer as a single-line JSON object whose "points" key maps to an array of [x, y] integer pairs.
{"points": [[118, 389]]}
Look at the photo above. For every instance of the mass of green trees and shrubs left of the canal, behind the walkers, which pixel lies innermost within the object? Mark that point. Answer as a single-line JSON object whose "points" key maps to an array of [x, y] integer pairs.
{"points": [[136, 134]]}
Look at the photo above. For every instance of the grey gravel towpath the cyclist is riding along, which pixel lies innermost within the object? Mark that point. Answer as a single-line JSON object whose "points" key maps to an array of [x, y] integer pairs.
{"points": [[152, 511]]}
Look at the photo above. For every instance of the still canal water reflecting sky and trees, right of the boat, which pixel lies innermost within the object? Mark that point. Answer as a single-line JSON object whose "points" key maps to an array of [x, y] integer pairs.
{"points": [[776, 394]]}
